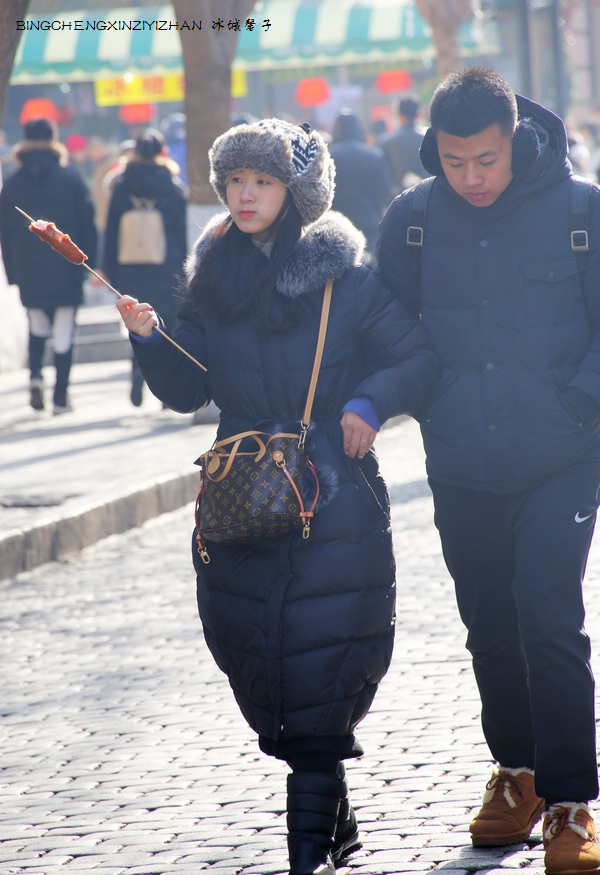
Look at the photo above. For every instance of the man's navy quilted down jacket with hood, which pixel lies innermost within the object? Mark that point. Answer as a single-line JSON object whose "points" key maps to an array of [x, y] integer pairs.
{"points": [[508, 314]]}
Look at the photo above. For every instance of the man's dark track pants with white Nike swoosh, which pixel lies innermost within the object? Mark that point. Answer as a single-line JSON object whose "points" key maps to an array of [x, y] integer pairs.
{"points": [[518, 563]]}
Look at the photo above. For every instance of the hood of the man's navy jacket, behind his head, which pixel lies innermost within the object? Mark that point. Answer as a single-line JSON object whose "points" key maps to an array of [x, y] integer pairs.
{"points": [[539, 145]]}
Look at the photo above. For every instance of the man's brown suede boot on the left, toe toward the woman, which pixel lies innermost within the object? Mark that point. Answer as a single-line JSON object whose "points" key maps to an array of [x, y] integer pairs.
{"points": [[510, 809]]}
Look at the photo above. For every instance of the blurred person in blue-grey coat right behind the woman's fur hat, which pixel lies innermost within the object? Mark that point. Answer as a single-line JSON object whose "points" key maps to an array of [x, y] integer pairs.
{"points": [[363, 183]]}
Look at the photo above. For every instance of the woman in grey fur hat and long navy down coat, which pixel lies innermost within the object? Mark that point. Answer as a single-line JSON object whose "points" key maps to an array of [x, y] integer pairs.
{"points": [[303, 628]]}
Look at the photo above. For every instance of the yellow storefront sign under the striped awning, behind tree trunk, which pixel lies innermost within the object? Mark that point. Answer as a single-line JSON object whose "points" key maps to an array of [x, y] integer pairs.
{"points": [[130, 89]]}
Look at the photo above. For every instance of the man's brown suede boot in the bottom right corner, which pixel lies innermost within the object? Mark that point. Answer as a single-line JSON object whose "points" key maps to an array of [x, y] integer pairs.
{"points": [[570, 840]]}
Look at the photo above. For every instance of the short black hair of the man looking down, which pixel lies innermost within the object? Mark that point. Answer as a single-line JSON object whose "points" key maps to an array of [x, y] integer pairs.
{"points": [[471, 99]]}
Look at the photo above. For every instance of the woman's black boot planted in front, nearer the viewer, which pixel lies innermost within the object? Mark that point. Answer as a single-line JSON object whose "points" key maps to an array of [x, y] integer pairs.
{"points": [[312, 805]]}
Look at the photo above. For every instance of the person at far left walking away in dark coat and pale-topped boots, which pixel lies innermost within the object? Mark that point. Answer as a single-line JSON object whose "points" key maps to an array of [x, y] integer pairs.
{"points": [[51, 288]]}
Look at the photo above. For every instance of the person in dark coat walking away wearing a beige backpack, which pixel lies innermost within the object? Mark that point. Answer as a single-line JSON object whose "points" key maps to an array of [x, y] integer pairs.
{"points": [[149, 177]]}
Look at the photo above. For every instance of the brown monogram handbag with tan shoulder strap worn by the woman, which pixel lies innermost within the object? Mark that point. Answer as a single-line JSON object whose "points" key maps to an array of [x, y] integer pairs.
{"points": [[256, 485]]}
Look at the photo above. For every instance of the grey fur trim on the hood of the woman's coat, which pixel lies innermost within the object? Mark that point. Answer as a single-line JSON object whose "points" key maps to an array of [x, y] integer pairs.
{"points": [[327, 250]]}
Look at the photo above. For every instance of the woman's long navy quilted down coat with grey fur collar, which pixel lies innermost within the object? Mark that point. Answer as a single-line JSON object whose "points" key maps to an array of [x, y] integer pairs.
{"points": [[303, 629]]}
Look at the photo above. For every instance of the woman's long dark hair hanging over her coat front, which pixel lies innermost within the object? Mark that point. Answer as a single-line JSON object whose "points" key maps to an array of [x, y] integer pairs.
{"points": [[235, 280]]}
